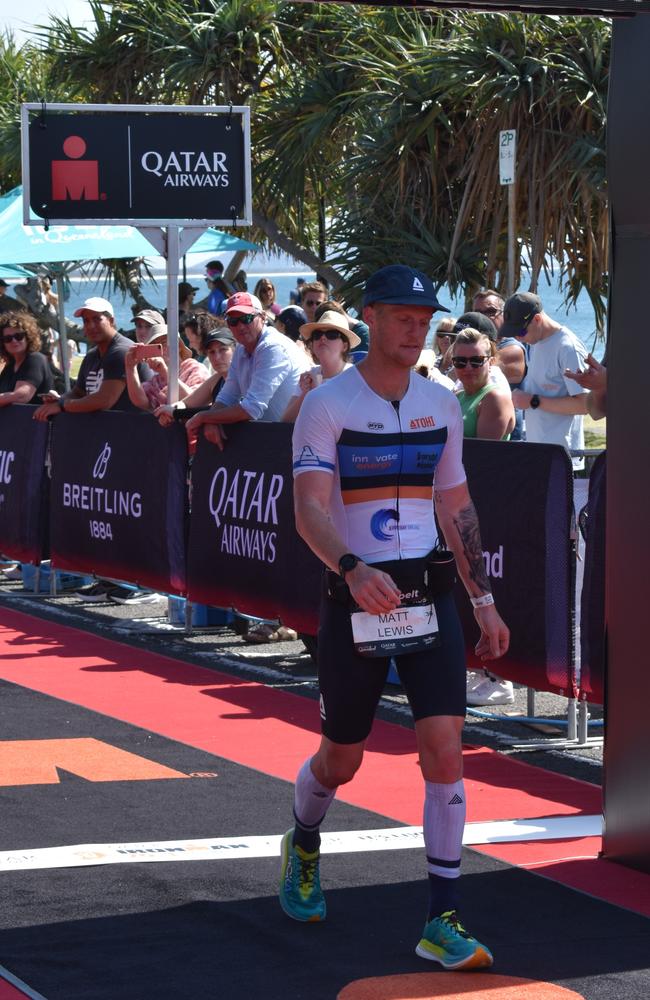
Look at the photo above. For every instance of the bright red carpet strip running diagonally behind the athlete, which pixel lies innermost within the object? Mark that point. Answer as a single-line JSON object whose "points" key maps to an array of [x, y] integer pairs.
{"points": [[214, 711]]}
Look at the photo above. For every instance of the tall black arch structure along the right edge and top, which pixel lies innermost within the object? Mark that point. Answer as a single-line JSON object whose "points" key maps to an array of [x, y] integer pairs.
{"points": [[627, 746]]}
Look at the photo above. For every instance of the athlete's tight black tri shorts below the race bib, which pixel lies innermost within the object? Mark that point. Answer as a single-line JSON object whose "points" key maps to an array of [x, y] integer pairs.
{"points": [[351, 685]]}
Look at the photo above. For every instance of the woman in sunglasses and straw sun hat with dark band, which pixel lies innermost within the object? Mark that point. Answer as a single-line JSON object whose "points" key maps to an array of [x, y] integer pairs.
{"points": [[329, 341]]}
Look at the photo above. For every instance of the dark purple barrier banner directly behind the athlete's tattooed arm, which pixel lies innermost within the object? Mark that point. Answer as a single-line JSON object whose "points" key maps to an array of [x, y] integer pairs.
{"points": [[523, 494]]}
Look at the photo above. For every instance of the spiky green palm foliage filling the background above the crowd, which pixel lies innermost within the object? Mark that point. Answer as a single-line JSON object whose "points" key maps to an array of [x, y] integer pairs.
{"points": [[375, 131]]}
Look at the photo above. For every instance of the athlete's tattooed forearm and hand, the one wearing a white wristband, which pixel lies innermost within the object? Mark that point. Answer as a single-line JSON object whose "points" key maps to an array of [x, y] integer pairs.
{"points": [[459, 523]]}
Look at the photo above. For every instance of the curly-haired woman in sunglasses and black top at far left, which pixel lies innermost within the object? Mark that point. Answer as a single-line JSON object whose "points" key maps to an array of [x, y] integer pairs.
{"points": [[26, 374]]}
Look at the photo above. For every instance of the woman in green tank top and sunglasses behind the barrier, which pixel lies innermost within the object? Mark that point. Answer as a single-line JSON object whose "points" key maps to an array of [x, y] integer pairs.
{"points": [[487, 410]]}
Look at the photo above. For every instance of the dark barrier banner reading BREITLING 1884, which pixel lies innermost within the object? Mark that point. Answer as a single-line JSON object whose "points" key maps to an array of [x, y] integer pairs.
{"points": [[118, 498]]}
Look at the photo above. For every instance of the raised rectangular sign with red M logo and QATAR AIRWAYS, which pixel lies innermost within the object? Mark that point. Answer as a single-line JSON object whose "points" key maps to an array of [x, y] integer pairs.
{"points": [[144, 165]]}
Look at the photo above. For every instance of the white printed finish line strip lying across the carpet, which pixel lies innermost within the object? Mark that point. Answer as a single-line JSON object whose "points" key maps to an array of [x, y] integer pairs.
{"points": [[350, 841]]}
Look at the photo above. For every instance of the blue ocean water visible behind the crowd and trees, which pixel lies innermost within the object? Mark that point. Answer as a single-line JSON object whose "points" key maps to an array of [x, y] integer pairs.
{"points": [[284, 272]]}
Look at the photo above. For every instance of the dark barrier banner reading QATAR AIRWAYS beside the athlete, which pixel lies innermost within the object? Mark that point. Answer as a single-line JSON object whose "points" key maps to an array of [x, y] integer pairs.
{"points": [[244, 551]]}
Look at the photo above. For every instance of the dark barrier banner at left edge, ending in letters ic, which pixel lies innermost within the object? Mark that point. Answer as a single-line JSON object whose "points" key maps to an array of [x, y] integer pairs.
{"points": [[23, 484]]}
